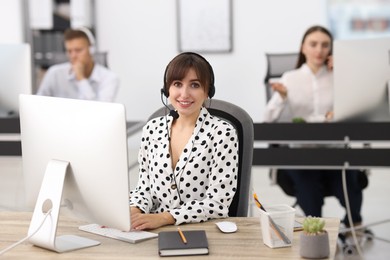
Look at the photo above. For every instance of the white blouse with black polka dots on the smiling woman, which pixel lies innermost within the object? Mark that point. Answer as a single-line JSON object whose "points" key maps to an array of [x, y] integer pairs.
{"points": [[202, 185]]}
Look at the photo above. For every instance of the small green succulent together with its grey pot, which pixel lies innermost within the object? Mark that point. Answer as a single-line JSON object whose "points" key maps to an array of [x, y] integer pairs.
{"points": [[314, 240]]}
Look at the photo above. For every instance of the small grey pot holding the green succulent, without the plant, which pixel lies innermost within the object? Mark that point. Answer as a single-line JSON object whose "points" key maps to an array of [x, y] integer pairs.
{"points": [[314, 246]]}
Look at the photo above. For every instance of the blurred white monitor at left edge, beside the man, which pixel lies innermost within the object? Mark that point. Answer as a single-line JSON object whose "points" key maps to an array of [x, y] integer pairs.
{"points": [[15, 76]]}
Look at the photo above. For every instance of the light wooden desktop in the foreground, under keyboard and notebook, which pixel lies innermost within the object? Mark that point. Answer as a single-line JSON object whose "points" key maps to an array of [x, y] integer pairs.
{"points": [[246, 243]]}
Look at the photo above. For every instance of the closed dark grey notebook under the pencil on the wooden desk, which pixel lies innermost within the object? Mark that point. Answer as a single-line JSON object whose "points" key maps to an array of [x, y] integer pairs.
{"points": [[170, 243]]}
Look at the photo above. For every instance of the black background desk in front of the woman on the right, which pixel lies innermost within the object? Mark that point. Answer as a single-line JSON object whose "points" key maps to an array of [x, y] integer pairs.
{"points": [[342, 134]]}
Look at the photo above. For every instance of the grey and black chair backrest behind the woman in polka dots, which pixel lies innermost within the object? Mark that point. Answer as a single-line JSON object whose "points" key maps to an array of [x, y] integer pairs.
{"points": [[243, 123]]}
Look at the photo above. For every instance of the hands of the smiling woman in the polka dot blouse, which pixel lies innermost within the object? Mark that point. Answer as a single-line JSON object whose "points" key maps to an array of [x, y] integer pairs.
{"points": [[141, 221]]}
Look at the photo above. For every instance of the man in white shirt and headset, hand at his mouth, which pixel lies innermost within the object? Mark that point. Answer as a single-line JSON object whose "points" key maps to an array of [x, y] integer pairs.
{"points": [[81, 77]]}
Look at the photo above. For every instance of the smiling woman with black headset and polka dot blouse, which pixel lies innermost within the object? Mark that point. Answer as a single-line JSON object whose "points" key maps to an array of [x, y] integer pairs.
{"points": [[188, 160]]}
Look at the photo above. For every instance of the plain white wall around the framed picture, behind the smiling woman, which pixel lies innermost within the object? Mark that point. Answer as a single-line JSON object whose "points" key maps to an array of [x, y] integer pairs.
{"points": [[141, 37]]}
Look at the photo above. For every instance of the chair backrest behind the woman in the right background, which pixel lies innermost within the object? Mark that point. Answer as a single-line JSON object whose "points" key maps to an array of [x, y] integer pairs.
{"points": [[277, 64]]}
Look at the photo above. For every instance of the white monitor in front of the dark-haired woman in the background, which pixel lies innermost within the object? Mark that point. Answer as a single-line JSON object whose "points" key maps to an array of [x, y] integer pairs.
{"points": [[361, 75]]}
